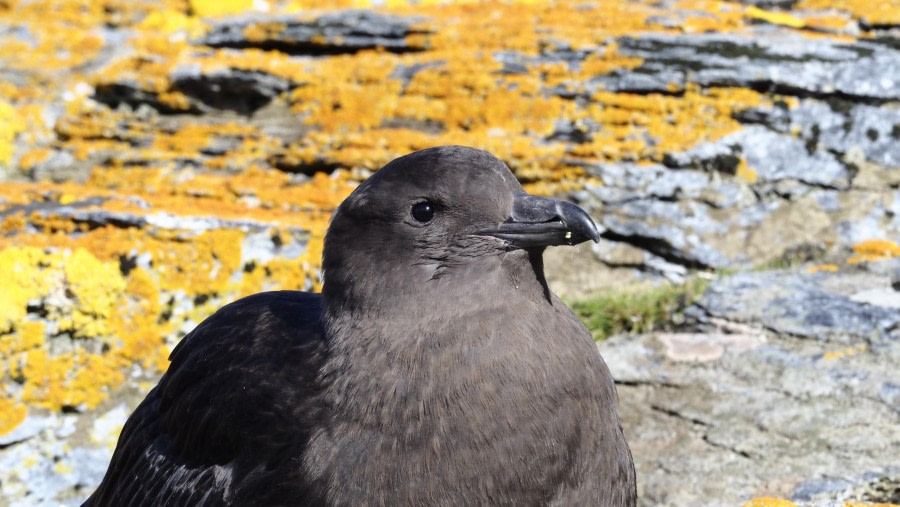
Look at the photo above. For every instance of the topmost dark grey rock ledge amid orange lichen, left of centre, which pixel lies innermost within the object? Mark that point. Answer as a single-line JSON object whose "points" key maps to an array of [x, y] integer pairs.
{"points": [[333, 33]]}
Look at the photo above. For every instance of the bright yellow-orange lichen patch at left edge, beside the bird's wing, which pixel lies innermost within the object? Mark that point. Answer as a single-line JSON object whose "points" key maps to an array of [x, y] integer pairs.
{"points": [[79, 295]]}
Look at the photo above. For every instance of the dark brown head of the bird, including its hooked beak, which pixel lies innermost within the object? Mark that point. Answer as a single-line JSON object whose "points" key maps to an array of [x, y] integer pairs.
{"points": [[440, 214]]}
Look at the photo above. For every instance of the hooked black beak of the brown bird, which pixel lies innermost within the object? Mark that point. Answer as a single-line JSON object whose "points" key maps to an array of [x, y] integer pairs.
{"points": [[541, 221]]}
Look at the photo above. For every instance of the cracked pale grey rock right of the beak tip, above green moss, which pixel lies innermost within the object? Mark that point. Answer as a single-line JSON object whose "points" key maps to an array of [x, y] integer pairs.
{"points": [[689, 214]]}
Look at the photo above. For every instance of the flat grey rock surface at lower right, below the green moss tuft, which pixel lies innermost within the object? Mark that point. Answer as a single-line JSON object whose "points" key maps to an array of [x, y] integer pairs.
{"points": [[782, 385]]}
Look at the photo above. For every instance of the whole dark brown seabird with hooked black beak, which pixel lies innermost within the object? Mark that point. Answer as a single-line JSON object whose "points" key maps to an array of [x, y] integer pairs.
{"points": [[436, 368]]}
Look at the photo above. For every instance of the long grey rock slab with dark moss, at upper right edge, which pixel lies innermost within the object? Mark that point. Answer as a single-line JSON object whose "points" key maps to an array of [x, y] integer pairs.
{"points": [[769, 58]]}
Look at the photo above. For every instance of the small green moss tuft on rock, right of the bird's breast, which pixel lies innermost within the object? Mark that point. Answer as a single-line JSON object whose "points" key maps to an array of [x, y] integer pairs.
{"points": [[637, 310]]}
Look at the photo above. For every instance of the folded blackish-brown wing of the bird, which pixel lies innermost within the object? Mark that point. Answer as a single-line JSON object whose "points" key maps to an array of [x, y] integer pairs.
{"points": [[230, 418]]}
